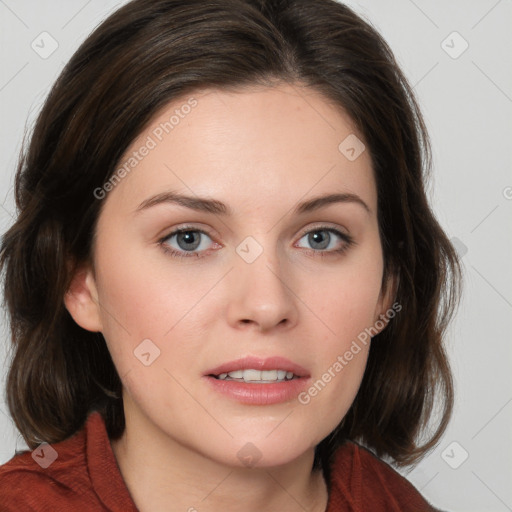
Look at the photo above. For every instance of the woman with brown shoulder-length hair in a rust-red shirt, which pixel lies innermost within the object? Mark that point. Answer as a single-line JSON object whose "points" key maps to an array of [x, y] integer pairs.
{"points": [[226, 286]]}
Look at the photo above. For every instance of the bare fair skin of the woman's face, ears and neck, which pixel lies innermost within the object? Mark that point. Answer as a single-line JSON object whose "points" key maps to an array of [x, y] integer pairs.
{"points": [[260, 151]]}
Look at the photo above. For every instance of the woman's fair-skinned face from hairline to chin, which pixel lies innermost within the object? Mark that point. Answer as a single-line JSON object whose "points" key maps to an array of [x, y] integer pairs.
{"points": [[248, 273]]}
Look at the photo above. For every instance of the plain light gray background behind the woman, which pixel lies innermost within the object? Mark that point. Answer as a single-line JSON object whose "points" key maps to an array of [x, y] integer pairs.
{"points": [[466, 97]]}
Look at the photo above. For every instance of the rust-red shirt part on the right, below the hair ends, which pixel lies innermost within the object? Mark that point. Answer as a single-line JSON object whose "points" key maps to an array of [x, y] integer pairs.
{"points": [[361, 480]]}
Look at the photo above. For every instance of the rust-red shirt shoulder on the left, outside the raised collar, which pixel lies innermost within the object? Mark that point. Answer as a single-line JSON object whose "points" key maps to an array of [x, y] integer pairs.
{"points": [[51, 474]]}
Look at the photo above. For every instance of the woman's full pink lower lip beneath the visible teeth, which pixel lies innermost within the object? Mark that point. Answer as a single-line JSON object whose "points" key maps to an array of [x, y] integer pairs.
{"points": [[259, 394]]}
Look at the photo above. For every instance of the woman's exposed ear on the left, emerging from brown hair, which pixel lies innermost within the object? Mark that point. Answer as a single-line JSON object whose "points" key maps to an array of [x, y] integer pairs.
{"points": [[81, 299]]}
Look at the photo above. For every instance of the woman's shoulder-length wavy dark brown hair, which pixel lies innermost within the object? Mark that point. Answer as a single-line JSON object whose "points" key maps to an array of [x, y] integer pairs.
{"points": [[148, 53]]}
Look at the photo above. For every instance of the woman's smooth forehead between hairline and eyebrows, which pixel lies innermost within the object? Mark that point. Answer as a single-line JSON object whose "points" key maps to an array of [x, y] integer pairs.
{"points": [[246, 147]]}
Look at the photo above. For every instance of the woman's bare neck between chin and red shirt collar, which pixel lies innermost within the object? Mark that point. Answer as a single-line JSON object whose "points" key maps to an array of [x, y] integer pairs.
{"points": [[163, 475]]}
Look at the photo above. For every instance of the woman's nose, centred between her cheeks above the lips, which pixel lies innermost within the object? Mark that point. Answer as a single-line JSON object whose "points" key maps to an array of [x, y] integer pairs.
{"points": [[262, 295]]}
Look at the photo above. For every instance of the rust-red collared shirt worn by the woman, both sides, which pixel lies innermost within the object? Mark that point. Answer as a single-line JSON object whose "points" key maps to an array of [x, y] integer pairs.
{"points": [[85, 477]]}
